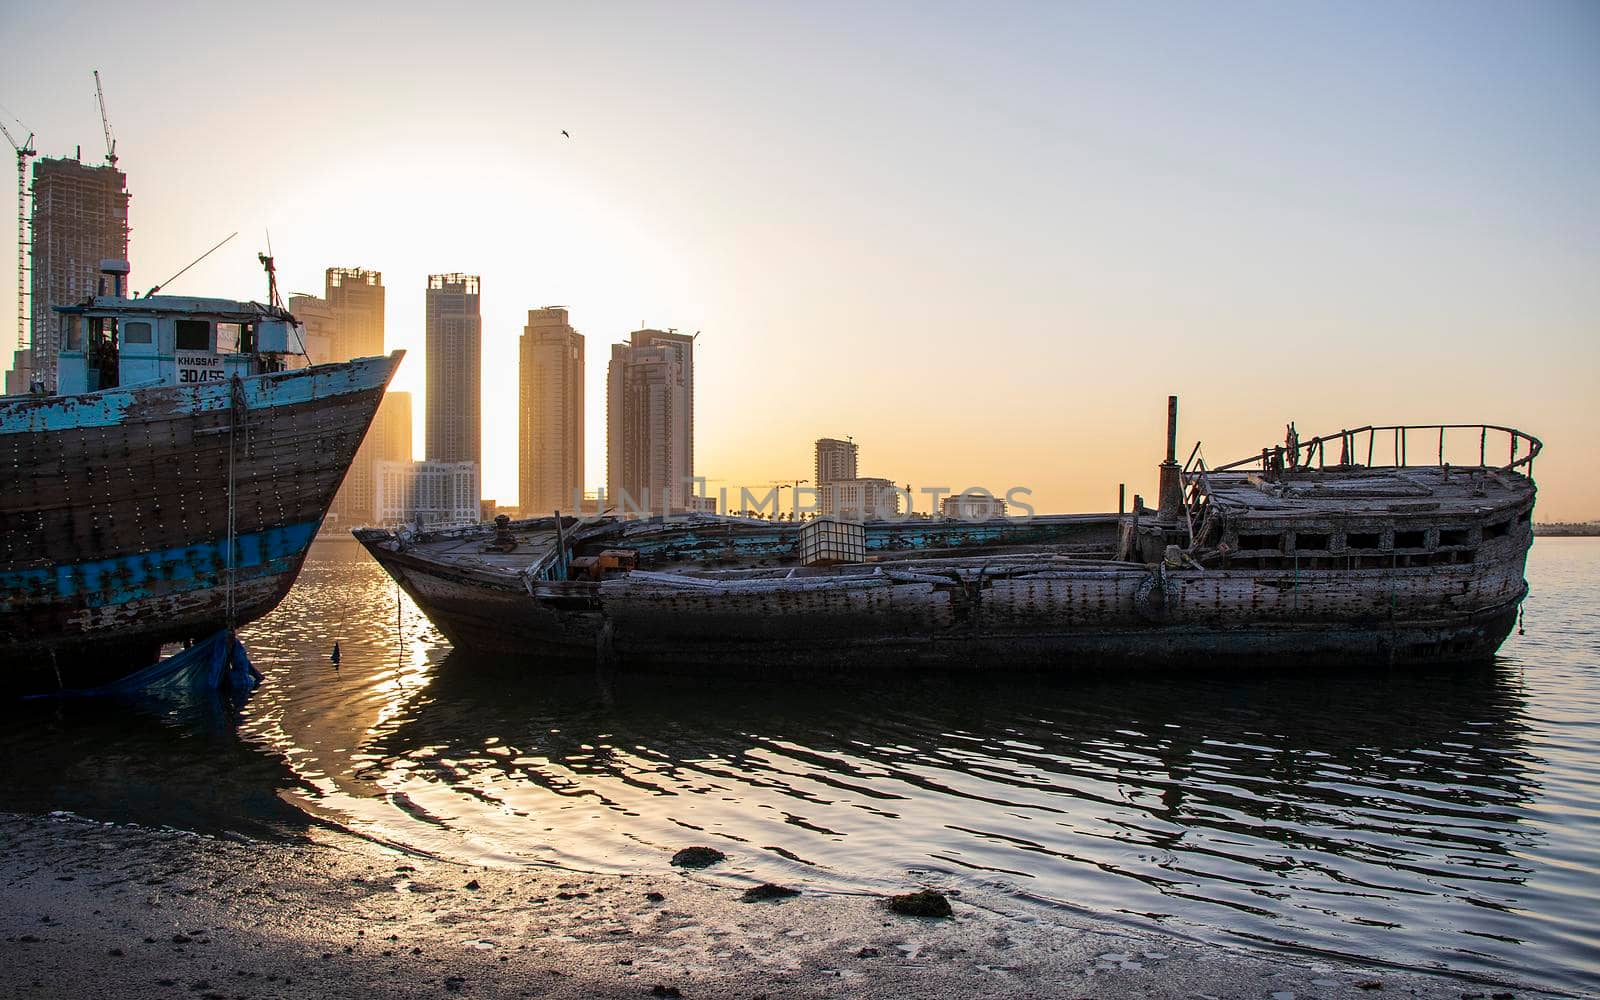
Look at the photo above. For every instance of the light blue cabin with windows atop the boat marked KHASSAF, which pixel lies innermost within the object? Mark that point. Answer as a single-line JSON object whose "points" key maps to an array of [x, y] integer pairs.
{"points": [[167, 340]]}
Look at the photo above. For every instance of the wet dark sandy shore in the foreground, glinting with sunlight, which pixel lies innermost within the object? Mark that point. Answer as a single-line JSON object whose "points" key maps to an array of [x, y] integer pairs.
{"points": [[119, 911]]}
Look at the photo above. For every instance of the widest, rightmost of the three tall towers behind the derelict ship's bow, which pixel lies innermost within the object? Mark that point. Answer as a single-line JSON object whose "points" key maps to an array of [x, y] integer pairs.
{"points": [[650, 422]]}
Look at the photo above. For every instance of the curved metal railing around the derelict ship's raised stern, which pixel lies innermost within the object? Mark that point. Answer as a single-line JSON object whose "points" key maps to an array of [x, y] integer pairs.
{"points": [[1519, 447]]}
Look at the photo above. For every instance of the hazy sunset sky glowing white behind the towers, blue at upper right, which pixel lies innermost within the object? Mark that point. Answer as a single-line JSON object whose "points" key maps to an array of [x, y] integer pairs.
{"points": [[983, 241]]}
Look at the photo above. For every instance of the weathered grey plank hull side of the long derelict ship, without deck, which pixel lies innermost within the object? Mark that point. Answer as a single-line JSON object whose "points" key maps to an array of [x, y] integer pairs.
{"points": [[1079, 615]]}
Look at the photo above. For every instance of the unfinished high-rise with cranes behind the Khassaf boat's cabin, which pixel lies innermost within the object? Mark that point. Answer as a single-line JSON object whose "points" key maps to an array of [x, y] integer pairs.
{"points": [[81, 218]]}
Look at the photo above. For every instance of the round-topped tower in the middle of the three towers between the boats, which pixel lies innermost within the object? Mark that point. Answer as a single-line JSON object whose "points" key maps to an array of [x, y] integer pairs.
{"points": [[551, 414]]}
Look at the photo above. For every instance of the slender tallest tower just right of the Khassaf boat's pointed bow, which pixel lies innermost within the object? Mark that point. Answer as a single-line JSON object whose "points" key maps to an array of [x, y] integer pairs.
{"points": [[455, 337]]}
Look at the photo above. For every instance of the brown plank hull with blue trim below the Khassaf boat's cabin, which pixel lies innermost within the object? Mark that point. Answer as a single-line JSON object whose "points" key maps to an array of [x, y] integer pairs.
{"points": [[114, 522]]}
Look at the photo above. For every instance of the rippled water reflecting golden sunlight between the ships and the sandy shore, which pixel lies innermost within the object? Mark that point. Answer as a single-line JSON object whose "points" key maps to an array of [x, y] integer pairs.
{"points": [[1436, 818]]}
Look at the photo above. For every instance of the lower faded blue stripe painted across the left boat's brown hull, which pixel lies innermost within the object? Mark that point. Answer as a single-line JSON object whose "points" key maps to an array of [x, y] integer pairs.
{"points": [[145, 575]]}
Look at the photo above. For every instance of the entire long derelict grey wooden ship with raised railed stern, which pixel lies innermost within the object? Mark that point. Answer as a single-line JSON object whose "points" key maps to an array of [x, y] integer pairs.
{"points": [[1284, 556]]}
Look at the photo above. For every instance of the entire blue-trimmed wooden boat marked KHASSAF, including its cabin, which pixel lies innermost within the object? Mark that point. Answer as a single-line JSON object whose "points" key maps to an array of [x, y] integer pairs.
{"points": [[172, 486]]}
